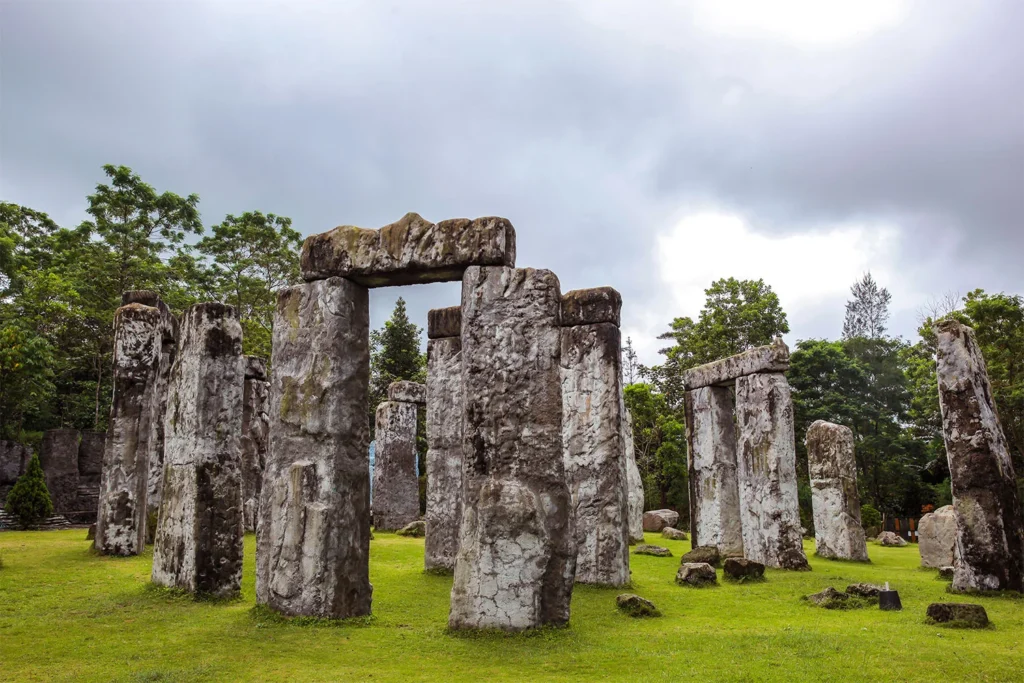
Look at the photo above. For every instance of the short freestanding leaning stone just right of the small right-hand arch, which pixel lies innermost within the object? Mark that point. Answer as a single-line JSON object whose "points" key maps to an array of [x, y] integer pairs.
{"points": [[838, 534]]}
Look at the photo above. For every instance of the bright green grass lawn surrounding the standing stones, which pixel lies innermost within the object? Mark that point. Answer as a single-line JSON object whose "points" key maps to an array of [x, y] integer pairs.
{"points": [[69, 615]]}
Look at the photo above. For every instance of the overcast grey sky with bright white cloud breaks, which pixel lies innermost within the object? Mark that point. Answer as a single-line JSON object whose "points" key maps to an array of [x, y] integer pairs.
{"points": [[654, 147]]}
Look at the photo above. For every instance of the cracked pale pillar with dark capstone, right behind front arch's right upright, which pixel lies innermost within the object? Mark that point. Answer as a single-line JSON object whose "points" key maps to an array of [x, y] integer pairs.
{"points": [[593, 418]]}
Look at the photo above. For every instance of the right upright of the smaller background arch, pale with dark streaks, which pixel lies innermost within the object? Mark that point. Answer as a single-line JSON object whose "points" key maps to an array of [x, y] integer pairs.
{"points": [[766, 465]]}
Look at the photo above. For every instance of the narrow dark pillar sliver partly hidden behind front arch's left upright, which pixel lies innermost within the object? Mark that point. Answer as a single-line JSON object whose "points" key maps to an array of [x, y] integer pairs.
{"points": [[255, 434]]}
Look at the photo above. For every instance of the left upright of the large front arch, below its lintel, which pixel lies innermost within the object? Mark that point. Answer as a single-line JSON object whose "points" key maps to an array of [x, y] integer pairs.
{"points": [[313, 548]]}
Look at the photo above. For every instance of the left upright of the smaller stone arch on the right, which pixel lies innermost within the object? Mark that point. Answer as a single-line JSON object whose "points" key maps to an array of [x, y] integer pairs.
{"points": [[711, 436]]}
